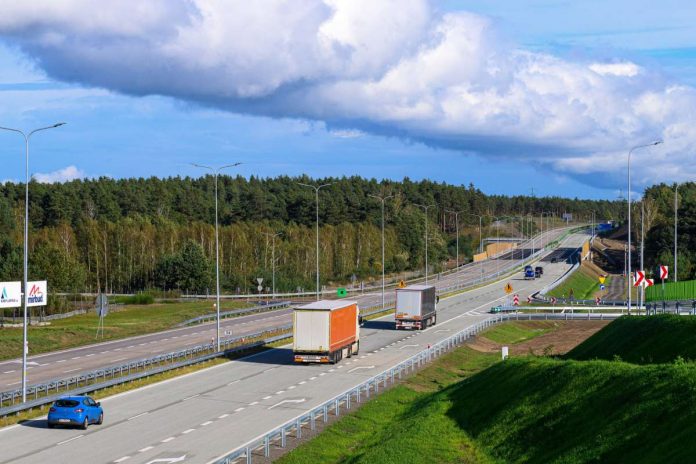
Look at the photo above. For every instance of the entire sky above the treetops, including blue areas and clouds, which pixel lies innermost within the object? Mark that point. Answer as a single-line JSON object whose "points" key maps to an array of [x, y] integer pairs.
{"points": [[512, 96]]}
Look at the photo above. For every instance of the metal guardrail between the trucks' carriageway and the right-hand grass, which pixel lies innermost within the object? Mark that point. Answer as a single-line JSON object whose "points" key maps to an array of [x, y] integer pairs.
{"points": [[279, 435]]}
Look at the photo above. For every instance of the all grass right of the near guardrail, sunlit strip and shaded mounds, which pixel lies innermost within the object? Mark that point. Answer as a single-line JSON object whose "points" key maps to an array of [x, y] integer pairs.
{"points": [[468, 407]]}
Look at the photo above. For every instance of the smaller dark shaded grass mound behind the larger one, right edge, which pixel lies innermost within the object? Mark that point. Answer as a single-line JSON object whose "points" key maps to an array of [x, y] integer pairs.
{"points": [[642, 340]]}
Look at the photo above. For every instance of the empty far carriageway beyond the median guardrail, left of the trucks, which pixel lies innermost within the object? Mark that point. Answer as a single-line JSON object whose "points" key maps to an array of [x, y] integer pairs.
{"points": [[65, 364]]}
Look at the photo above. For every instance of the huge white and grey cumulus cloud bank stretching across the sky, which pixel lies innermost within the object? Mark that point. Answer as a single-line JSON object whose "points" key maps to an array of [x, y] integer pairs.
{"points": [[389, 67]]}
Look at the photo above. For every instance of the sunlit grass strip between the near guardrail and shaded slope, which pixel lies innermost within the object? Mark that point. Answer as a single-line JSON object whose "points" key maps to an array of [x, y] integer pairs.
{"points": [[409, 423]]}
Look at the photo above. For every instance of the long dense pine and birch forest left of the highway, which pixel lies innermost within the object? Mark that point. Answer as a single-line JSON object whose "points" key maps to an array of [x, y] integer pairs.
{"points": [[127, 235]]}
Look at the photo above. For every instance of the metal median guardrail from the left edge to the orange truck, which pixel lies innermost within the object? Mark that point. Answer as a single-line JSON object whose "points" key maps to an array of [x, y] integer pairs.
{"points": [[126, 372]]}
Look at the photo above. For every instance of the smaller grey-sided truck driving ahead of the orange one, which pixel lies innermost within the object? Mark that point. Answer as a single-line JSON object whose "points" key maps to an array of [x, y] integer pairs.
{"points": [[416, 307]]}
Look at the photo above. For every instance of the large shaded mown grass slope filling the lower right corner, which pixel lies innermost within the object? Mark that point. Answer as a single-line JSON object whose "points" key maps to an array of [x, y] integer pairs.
{"points": [[538, 410]]}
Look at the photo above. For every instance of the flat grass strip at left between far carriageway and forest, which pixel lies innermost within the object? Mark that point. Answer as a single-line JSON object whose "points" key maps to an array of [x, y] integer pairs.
{"points": [[81, 330]]}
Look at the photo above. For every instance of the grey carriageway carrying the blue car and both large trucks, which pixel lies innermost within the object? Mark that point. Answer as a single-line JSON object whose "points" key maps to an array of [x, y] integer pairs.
{"points": [[203, 415]]}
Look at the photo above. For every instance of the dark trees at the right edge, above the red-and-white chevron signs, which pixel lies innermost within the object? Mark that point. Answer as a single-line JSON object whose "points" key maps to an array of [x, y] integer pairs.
{"points": [[658, 214]]}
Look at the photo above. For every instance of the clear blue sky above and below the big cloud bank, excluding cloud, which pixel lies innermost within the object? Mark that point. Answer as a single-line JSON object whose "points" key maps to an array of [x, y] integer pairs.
{"points": [[114, 134]]}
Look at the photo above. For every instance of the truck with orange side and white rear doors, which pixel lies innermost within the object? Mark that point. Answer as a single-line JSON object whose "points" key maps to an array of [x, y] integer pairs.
{"points": [[326, 331]]}
